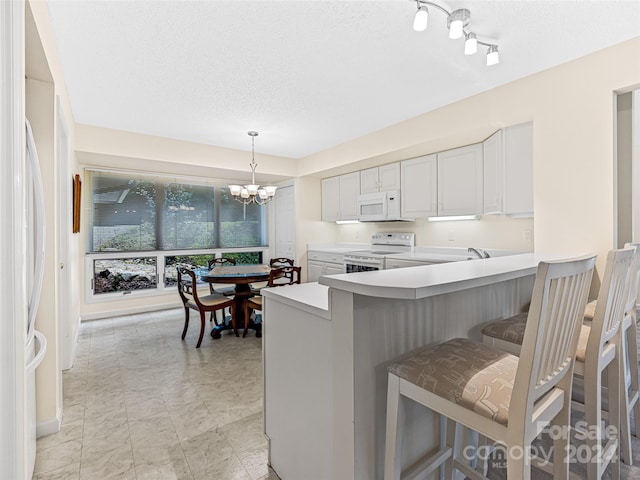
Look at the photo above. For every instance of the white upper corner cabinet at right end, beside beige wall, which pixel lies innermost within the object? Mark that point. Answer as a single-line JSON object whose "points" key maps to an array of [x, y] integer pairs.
{"points": [[508, 171]]}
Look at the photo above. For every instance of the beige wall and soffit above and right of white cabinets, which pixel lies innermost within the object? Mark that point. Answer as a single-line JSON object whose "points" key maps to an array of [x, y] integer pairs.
{"points": [[572, 108]]}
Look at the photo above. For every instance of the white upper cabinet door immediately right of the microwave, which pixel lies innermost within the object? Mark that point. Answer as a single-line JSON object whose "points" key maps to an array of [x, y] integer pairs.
{"points": [[418, 192]]}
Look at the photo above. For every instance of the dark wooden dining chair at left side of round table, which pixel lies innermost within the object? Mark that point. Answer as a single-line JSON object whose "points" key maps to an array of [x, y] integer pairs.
{"points": [[188, 290]]}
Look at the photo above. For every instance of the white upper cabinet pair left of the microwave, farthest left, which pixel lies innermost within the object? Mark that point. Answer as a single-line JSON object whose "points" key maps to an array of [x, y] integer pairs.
{"points": [[340, 196]]}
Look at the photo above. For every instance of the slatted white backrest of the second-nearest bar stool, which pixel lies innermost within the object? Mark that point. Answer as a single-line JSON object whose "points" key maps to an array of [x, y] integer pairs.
{"points": [[612, 299]]}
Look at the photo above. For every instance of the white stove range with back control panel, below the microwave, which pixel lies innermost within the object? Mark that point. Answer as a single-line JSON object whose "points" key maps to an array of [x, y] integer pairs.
{"points": [[382, 244]]}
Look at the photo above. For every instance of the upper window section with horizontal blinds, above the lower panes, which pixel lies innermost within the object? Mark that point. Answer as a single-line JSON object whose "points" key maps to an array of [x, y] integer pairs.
{"points": [[149, 213]]}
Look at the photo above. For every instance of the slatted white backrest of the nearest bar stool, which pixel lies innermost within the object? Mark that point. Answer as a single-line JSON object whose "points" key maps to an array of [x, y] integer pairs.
{"points": [[550, 339]]}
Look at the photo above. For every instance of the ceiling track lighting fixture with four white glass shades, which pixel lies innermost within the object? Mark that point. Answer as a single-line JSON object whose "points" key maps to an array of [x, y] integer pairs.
{"points": [[457, 22]]}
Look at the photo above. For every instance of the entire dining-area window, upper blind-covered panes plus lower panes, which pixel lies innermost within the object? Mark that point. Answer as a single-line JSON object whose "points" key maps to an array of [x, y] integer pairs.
{"points": [[143, 226]]}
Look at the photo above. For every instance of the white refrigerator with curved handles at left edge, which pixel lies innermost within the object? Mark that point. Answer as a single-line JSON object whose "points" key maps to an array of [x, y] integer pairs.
{"points": [[35, 226]]}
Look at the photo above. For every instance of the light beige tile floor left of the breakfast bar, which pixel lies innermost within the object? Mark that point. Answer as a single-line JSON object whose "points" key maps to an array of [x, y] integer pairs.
{"points": [[140, 403]]}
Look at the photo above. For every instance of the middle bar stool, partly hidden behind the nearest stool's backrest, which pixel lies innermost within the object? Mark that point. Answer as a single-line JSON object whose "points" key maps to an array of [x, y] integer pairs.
{"points": [[598, 357]]}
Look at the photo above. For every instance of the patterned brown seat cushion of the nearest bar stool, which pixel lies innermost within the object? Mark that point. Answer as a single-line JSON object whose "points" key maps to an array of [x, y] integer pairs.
{"points": [[464, 372]]}
